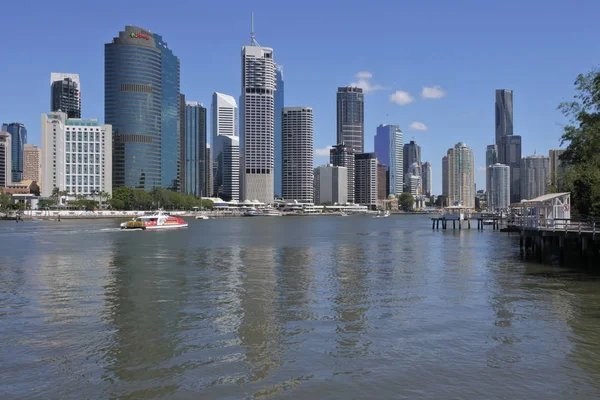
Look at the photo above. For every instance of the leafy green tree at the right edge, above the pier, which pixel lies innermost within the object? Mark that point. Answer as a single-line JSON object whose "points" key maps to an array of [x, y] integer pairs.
{"points": [[582, 156]]}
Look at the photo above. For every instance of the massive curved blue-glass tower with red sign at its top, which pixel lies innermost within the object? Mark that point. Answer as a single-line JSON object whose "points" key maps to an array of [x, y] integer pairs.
{"points": [[141, 91]]}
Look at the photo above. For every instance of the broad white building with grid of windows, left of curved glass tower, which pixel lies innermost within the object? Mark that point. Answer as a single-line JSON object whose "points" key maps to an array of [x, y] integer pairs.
{"points": [[76, 155]]}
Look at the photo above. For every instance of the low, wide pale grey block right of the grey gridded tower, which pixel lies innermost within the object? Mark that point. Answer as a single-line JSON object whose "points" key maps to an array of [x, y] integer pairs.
{"points": [[331, 184]]}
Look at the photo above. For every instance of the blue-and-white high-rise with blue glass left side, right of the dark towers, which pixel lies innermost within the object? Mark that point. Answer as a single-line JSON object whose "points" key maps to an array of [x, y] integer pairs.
{"points": [[389, 150]]}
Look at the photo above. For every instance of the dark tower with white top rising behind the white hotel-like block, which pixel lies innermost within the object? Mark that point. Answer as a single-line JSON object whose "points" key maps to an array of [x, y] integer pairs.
{"points": [[65, 94]]}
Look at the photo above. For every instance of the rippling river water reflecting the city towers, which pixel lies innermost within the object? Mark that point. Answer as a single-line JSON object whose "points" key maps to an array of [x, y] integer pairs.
{"points": [[305, 307]]}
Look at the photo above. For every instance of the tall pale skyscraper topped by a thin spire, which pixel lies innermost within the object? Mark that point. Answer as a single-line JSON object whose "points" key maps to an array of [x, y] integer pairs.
{"points": [[258, 130]]}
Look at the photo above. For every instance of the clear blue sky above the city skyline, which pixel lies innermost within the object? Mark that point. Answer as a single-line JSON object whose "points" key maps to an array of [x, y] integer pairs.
{"points": [[466, 48]]}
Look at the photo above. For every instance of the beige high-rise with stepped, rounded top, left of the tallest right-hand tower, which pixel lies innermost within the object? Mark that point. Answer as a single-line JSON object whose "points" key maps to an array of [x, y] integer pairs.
{"points": [[461, 176]]}
